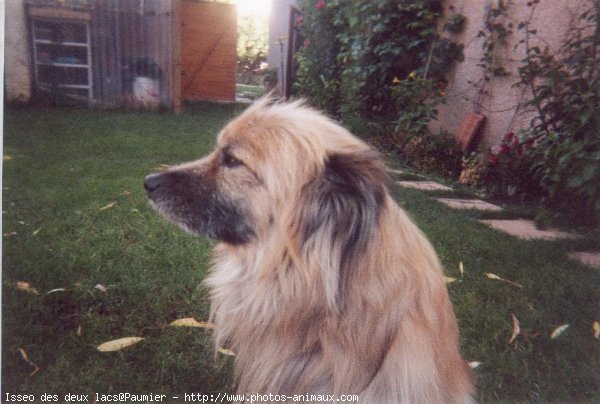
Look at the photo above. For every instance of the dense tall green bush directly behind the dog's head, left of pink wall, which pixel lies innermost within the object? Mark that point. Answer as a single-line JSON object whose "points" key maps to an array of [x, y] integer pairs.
{"points": [[354, 50]]}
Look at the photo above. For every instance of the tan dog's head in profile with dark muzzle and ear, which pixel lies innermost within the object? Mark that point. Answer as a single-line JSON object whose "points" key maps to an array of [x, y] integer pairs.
{"points": [[277, 168]]}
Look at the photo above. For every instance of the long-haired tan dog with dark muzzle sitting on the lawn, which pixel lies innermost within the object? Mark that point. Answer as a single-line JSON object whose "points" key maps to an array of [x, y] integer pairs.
{"points": [[321, 284]]}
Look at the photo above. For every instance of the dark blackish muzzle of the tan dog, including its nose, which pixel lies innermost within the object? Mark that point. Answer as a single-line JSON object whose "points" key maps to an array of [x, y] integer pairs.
{"points": [[197, 207]]}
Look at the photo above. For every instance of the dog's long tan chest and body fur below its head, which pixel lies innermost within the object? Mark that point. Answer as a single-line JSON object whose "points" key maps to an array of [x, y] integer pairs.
{"points": [[324, 351]]}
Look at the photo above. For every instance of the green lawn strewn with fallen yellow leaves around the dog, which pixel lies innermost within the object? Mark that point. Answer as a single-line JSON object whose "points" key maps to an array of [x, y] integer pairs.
{"points": [[75, 216]]}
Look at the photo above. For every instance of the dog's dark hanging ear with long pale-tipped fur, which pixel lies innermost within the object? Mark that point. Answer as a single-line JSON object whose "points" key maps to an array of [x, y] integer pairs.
{"points": [[337, 217]]}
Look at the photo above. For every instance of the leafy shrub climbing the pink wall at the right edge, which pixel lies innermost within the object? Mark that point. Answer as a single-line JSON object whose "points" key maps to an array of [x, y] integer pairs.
{"points": [[566, 131]]}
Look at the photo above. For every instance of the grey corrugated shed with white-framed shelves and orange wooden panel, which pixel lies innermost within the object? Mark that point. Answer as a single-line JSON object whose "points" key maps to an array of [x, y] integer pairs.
{"points": [[131, 53]]}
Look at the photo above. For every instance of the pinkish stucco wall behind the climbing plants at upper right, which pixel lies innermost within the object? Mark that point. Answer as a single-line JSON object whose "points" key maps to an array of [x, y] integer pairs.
{"points": [[503, 104]]}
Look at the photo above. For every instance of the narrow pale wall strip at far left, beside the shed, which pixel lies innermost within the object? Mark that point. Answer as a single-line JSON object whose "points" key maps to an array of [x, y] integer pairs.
{"points": [[17, 53]]}
